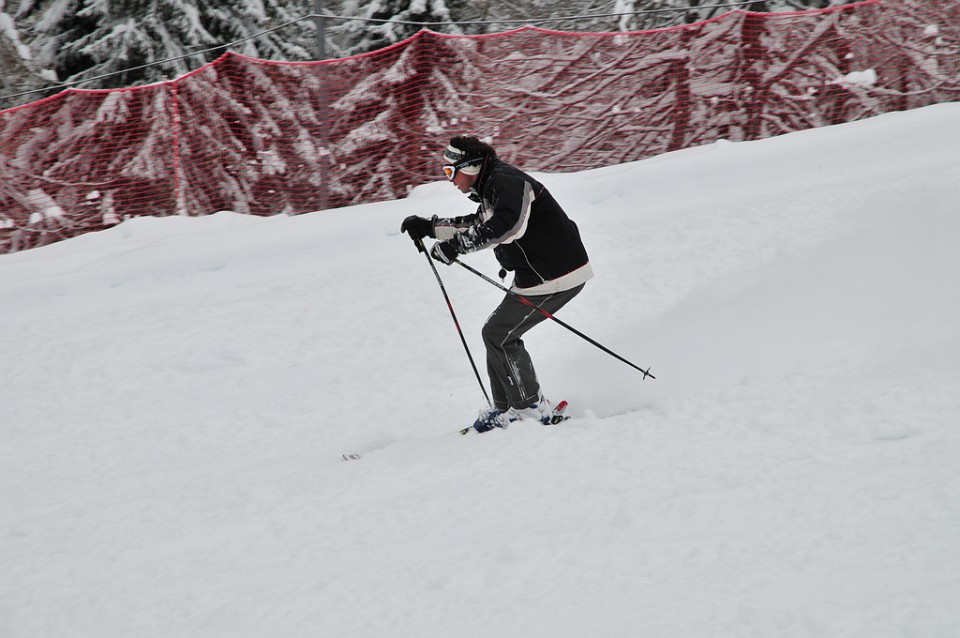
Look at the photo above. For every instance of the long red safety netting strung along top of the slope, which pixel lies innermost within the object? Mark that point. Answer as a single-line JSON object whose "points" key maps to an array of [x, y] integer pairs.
{"points": [[262, 137]]}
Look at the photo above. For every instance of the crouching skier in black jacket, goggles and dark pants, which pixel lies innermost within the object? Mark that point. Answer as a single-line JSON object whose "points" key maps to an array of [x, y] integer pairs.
{"points": [[531, 236]]}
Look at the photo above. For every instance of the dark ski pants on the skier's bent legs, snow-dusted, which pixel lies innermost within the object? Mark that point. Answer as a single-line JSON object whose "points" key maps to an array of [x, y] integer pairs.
{"points": [[513, 380]]}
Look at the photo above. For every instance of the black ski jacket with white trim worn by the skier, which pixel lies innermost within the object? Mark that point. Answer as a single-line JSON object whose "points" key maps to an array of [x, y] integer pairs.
{"points": [[530, 233]]}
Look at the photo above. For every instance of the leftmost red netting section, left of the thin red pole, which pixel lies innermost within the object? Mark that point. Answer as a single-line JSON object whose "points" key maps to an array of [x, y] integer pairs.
{"points": [[82, 160]]}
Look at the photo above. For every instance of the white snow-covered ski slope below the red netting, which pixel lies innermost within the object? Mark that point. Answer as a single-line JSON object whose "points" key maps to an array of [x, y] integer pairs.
{"points": [[177, 394]]}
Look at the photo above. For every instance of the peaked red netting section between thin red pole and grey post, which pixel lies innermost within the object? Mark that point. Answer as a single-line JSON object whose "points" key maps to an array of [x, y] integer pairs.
{"points": [[254, 138]]}
